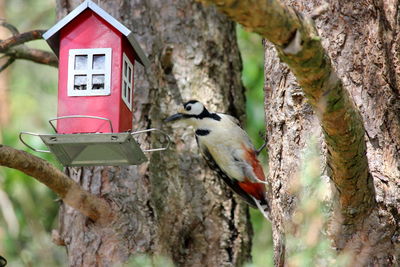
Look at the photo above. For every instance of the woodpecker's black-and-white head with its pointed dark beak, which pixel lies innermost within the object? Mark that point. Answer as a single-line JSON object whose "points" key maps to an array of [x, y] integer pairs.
{"points": [[189, 113]]}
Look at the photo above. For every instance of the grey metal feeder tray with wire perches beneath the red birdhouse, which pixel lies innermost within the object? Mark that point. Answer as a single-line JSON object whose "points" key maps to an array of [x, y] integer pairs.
{"points": [[95, 149]]}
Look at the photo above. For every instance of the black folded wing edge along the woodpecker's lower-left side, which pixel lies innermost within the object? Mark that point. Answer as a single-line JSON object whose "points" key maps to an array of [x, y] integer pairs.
{"points": [[232, 183]]}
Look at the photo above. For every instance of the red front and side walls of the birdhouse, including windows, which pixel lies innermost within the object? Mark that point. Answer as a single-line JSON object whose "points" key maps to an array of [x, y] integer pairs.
{"points": [[95, 76]]}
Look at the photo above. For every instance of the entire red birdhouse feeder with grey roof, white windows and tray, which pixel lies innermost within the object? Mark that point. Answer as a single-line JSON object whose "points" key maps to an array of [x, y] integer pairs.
{"points": [[97, 55]]}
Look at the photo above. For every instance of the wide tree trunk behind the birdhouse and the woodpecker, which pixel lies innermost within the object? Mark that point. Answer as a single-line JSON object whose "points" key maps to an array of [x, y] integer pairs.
{"points": [[172, 205]]}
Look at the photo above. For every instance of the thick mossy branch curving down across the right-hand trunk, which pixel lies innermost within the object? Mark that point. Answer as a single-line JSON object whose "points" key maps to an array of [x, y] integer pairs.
{"points": [[299, 46]]}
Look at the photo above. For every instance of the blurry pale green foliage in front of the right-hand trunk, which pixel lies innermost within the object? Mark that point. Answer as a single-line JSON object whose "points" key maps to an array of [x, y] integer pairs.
{"points": [[307, 243]]}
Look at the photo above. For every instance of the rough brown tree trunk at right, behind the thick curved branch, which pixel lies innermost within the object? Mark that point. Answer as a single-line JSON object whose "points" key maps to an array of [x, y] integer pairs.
{"points": [[362, 40]]}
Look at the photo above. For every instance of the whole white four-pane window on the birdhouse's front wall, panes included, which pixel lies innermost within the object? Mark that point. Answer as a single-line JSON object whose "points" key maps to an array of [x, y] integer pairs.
{"points": [[89, 72]]}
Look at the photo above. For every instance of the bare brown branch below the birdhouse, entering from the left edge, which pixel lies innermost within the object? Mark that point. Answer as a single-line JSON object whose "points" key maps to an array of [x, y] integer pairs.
{"points": [[72, 194]]}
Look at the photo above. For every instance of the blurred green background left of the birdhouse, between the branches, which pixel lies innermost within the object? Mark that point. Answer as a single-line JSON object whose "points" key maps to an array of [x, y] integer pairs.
{"points": [[28, 209]]}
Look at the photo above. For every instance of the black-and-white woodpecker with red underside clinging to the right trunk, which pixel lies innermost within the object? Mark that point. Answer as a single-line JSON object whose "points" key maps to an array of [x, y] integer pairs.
{"points": [[228, 150]]}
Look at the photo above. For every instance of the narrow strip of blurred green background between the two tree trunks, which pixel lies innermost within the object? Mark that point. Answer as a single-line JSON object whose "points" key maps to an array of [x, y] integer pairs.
{"points": [[252, 53]]}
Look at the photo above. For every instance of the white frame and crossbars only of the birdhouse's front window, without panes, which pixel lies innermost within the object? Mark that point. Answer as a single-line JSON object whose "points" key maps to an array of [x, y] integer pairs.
{"points": [[89, 71]]}
